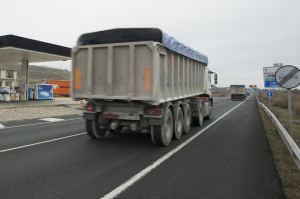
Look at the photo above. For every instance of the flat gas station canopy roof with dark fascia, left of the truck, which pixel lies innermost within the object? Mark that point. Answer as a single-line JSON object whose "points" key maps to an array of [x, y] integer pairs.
{"points": [[15, 49]]}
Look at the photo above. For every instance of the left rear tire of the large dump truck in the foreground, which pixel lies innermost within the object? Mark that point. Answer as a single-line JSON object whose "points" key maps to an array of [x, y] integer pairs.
{"points": [[93, 128]]}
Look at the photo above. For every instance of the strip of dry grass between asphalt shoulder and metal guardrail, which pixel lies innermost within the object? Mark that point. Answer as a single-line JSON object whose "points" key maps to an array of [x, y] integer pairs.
{"points": [[286, 167]]}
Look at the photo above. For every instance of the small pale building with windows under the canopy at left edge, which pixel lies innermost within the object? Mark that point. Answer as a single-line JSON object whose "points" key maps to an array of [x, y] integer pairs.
{"points": [[8, 77]]}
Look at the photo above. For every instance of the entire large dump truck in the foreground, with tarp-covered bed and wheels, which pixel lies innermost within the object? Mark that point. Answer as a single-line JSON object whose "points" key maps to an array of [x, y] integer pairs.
{"points": [[140, 79]]}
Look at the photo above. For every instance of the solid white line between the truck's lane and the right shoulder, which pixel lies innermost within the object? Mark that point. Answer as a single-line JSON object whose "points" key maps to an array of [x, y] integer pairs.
{"points": [[121, 188]]}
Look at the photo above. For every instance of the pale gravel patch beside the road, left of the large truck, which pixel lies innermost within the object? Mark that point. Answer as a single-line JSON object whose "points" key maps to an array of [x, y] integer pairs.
{"points": [[12, 114]]}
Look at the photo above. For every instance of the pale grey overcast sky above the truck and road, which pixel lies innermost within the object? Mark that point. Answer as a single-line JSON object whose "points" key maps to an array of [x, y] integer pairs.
{"points": [[238, 36]]}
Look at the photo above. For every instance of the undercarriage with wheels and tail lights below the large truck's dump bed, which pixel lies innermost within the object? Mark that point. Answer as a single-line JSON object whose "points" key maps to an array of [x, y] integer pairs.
{"points": [[164, 122]]}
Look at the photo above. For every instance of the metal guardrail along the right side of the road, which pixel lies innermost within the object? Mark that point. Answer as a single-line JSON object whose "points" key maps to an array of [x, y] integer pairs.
{"points": [[287, 139]]}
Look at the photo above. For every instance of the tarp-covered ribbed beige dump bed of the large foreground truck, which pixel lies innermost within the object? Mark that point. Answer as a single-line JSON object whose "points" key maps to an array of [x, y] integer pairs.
{"points": [[136, 67]]}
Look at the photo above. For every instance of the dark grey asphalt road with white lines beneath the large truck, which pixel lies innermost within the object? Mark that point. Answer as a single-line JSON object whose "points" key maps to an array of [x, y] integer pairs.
{"points": [[228, 157]]}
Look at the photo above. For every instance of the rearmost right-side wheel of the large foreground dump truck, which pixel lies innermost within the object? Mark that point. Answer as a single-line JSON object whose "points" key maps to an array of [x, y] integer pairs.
{"points": [[162, 135]]}
